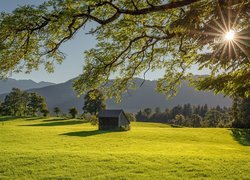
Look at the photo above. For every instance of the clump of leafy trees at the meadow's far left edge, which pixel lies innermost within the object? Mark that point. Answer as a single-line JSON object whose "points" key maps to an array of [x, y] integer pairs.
{"points": [[21, 103]]}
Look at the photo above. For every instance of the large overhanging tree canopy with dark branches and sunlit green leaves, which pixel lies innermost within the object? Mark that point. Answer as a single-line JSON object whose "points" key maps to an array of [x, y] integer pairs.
{"points": [[134, 37]]}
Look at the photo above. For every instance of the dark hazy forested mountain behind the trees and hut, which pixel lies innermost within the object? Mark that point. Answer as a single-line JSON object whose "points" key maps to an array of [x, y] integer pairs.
{"points": [[63, 96]]}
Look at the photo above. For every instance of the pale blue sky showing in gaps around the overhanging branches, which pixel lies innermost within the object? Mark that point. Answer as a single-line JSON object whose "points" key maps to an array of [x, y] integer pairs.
{"points": [[74, 61]]}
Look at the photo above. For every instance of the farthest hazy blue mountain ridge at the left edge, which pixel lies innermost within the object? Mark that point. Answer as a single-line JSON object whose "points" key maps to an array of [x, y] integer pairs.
{"points": [[8, 84]]}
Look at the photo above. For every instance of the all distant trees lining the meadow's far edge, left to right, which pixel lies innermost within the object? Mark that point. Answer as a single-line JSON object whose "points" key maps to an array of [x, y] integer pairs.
{"points": [[21, 103]]}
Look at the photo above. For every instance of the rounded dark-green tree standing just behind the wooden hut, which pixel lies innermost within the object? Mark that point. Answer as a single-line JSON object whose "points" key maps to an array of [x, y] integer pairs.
{"points": [[94, 102]]}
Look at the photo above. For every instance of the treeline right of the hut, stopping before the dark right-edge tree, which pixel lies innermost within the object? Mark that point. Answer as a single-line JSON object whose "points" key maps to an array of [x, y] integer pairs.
{"points": [[189, 115]]}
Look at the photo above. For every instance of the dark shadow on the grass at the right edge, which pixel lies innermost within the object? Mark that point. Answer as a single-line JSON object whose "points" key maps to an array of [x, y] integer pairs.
{"points": [[242, 136]]}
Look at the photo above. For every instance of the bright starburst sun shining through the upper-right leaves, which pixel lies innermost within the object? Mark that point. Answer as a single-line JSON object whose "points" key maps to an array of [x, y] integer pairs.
{"points": [[228, 36]]}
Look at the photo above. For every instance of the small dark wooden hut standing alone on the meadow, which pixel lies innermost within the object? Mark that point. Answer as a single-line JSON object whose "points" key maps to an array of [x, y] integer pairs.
{"points": [[114, 119]]}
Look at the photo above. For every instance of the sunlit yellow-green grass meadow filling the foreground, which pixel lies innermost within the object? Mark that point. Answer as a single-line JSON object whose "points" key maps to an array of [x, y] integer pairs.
{"points": [[70, 149]]}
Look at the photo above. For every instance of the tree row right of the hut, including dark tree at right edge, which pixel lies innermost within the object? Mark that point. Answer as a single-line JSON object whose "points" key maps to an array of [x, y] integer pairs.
{"points": [[200, 116]]}
